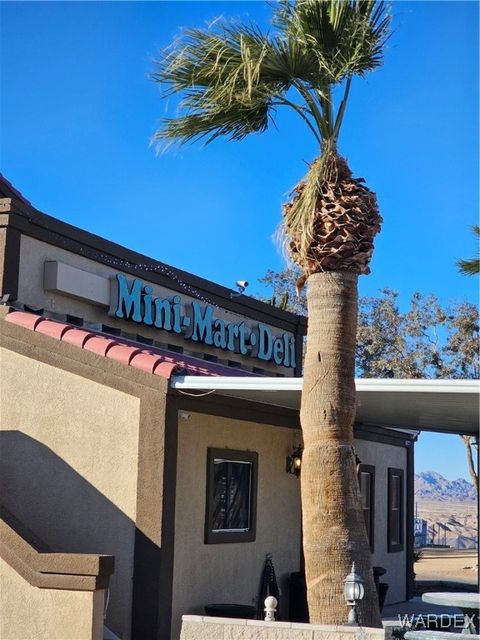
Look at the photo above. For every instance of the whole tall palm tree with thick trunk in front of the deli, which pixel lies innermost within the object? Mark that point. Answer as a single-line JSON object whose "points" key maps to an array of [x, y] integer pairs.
{"points": [[232, 78]]}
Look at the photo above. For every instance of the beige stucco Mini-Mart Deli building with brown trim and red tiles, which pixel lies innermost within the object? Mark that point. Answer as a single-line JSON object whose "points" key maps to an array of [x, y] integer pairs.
{"points": [[103, 452]]}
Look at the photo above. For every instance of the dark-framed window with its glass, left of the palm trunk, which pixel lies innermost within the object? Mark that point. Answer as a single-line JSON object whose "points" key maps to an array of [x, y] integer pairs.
{"points": [[231, 496]]}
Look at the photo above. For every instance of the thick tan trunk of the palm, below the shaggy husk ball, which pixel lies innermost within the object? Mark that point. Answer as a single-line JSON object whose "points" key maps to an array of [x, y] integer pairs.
{"points": [[334, 532]]}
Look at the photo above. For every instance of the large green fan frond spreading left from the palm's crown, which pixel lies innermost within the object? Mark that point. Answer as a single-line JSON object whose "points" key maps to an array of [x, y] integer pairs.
{"points": [[230, 81]]}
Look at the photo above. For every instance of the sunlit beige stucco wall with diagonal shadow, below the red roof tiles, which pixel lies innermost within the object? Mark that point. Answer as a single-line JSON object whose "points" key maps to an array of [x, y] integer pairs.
{"points": [[68, 466]]}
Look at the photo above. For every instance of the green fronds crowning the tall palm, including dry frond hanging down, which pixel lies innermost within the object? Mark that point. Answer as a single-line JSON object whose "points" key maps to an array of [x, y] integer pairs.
{"points": [[231, 78]]}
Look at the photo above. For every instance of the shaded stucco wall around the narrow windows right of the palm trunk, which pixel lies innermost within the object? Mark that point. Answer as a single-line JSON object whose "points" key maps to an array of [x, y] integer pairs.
{"points": [[383, 456]]}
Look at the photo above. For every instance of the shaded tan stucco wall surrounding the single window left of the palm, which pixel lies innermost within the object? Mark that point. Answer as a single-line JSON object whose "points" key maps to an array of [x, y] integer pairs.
{"points": [[209, 573]]}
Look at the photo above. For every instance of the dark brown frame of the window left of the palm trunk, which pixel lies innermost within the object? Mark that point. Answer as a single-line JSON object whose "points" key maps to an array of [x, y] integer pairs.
{"points": [[226, 536]]}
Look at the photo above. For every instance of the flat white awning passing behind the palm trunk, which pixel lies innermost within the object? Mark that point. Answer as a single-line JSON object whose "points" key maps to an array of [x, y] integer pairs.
{"points": [[450, 406]]}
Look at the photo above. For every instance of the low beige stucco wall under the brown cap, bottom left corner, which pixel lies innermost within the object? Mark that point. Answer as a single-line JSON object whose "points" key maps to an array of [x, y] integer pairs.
{"points": [[30, 613]]}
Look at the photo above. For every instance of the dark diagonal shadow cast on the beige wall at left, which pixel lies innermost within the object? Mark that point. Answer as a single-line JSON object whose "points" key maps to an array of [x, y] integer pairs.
{"points": [[70, 515]]}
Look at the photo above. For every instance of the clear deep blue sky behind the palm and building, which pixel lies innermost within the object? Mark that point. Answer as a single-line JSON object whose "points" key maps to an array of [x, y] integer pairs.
{"points": [[78, 111]]}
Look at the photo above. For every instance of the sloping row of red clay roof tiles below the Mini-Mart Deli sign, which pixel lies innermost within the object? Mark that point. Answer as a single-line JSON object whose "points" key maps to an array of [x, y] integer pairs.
{"points": [[155, 361]]}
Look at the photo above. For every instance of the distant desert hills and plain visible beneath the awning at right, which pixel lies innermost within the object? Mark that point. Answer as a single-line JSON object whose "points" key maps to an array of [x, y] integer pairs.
{"points": [[449, 507]]}
